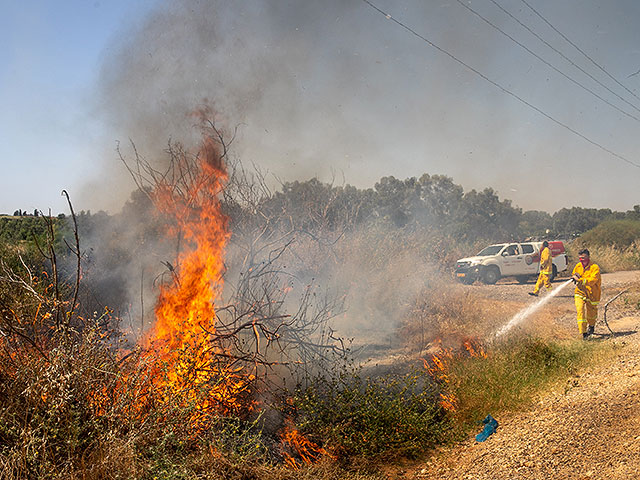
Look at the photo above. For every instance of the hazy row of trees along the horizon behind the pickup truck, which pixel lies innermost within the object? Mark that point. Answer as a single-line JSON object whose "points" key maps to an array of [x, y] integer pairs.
{"points": [[432, 201]]}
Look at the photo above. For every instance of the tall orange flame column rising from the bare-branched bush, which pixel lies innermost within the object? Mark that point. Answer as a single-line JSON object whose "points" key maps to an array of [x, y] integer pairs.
{"points": [[182, 338]]}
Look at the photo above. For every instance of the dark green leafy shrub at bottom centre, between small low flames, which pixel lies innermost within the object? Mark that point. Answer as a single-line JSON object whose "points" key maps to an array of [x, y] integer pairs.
{"points": [[389, 415]]}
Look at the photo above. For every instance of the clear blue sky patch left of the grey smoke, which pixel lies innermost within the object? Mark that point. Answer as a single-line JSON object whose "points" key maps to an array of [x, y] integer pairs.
{"points": [[49, 66]]}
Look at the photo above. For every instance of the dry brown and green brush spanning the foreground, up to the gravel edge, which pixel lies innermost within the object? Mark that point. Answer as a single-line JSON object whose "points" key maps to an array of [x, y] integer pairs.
{"points": [[71, 400]]}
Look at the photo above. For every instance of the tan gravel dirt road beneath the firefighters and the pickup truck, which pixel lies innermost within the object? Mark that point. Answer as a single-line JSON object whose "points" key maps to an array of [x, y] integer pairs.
{"points": [[587, 428]]}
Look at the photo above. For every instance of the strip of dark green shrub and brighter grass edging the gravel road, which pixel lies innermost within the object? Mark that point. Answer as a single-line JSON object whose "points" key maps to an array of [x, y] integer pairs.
{"points": [[400, 415]]}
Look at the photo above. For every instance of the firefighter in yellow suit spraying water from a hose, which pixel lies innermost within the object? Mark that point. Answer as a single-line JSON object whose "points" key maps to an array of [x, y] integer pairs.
{"points": [[587, 293]]}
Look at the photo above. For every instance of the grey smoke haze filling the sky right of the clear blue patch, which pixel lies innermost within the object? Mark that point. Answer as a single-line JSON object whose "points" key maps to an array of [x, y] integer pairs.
{"points": [[333, 89]]}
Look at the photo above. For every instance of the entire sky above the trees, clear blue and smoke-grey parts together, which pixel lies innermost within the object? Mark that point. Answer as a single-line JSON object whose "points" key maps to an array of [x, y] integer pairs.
{"points": [[318, 88]]}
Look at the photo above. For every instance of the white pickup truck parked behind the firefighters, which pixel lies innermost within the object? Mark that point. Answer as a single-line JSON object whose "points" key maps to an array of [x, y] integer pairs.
{"points": [[520, 260]]}
